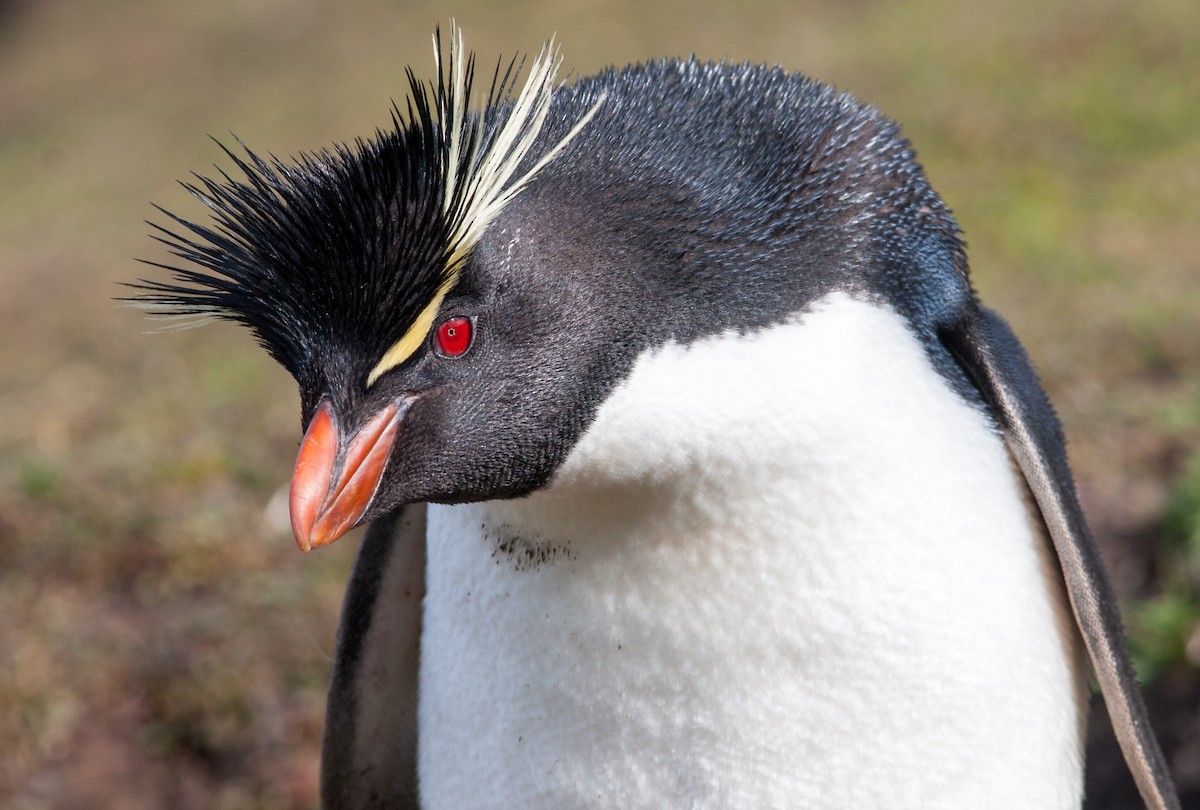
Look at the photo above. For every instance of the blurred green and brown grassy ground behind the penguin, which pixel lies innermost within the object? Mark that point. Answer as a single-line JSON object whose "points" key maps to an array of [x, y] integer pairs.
{"points": [[165, 645]]}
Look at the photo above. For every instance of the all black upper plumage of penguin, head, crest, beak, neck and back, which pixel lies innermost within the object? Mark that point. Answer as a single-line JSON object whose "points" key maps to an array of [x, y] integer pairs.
{"points": [[457, 297]]}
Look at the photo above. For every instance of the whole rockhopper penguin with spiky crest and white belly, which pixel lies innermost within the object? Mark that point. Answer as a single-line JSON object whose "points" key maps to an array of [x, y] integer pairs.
{"points": [[694, 472]]}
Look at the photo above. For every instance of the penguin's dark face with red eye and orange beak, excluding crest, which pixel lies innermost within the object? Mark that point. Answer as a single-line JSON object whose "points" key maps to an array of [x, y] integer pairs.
{"points": [[515, 363]]}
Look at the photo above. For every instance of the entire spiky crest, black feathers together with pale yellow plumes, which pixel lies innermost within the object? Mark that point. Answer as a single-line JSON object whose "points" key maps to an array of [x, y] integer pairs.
{"points": [[349, 253]]}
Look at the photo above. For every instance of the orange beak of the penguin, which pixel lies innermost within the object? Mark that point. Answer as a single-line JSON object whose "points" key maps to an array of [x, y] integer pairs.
{"points": [[337, 477]]}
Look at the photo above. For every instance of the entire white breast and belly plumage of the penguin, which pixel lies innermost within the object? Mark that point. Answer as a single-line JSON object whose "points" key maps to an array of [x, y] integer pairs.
{"points": [[783, 571]]}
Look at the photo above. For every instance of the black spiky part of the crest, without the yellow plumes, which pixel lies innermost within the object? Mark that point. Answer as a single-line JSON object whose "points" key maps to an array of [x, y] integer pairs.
{"points": [[339, 249]]}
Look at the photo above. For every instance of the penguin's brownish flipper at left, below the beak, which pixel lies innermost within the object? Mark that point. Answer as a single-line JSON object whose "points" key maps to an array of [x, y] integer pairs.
{"points": [[369, 751]]}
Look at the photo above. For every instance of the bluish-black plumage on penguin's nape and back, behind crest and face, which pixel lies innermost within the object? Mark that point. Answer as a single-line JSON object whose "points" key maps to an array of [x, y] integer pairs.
{"points": [[741, 195]]}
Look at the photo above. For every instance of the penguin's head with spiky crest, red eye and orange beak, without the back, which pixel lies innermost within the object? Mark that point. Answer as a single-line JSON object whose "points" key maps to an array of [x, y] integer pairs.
{"points": [[424, 327]]}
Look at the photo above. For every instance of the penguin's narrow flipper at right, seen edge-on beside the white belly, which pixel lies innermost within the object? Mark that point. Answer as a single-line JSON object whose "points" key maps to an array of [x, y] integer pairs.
{"points": [[988, 351]]}
